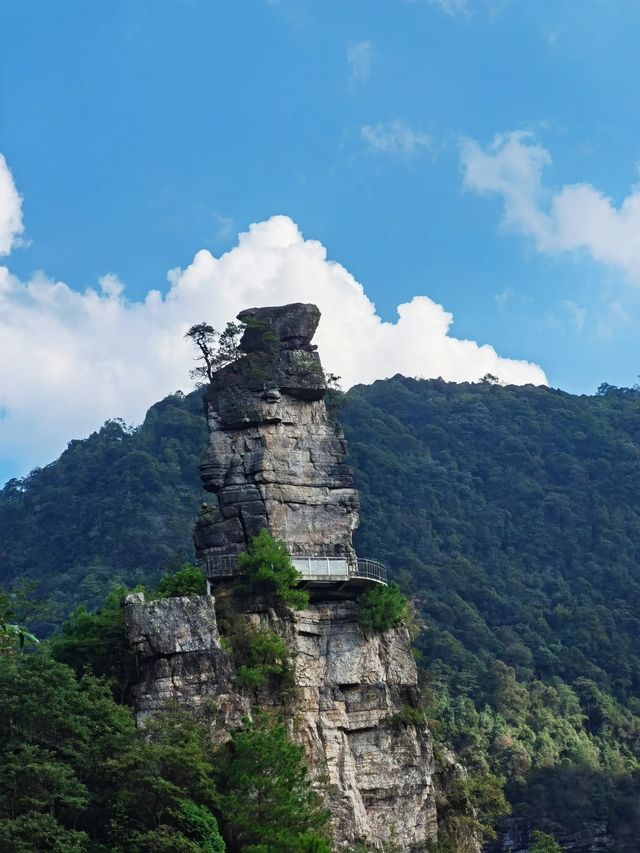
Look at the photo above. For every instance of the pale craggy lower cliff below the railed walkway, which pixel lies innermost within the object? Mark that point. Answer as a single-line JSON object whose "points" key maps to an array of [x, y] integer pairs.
{"points": [[374, 771]]}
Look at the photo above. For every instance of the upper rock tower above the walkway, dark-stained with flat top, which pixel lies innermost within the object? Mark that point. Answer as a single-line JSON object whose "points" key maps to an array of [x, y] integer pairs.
{"points": [[274, 459]]}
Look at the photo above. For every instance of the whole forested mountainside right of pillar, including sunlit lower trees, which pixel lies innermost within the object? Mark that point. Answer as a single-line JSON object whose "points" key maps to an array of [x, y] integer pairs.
{"points": [[511, 516]]}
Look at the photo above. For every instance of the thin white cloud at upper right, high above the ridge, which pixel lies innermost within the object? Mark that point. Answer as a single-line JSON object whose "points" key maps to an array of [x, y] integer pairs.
{"points": [[575, 217]]}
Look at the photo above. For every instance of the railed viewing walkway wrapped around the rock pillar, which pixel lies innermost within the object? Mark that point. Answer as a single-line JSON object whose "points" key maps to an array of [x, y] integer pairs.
{"points": [[314, 571]]}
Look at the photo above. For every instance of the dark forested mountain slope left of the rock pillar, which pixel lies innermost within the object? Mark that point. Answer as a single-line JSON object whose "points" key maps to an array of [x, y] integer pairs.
{"points": [[115, 508]]}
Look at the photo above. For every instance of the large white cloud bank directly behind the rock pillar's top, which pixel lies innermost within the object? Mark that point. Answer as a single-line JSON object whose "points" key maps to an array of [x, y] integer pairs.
{"points": [[70, 360]]}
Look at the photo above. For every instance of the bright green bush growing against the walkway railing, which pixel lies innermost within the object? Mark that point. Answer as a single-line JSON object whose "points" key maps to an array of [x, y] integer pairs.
{"points": [[270, 571]]}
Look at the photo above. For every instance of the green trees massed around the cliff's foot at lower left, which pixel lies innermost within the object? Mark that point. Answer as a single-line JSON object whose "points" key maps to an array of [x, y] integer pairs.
{"points": [[78, 775]]}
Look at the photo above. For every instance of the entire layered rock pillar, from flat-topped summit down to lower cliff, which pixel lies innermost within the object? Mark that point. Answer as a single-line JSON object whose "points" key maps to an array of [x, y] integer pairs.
{"points": [[275, 460]]}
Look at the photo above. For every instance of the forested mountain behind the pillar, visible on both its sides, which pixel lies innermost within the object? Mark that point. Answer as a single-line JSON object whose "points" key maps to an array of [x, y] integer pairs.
{"points": [[512, 517]]}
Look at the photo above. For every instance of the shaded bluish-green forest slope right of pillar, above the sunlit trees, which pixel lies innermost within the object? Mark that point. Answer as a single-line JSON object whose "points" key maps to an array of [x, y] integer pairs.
{"points": [[514, 515]]}
